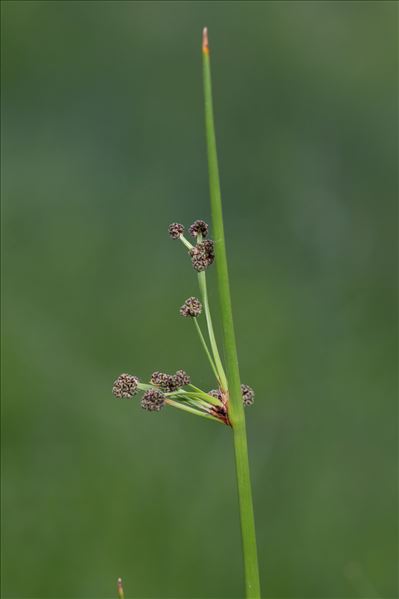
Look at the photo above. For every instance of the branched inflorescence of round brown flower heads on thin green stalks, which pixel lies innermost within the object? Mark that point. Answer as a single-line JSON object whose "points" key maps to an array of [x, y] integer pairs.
{"points": [[176, 389]]}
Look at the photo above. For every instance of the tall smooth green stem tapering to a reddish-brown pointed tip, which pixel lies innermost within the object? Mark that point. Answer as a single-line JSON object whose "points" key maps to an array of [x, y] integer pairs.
{"points": [[235, 405]]}
